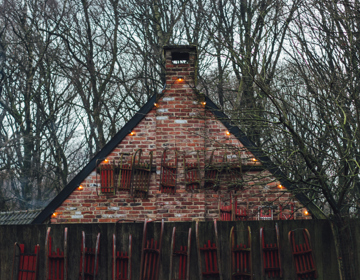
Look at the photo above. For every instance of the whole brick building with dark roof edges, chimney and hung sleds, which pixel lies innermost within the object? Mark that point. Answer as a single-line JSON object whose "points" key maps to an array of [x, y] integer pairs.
{"points": [[178, 158]]}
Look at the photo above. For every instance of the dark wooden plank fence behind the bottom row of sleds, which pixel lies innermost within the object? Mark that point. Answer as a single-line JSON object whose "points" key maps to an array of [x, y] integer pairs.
{"points": [[322, 243]]}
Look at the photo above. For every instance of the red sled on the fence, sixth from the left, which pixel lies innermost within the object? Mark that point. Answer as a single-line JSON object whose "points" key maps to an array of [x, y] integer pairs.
{"points": [[183, 258]]}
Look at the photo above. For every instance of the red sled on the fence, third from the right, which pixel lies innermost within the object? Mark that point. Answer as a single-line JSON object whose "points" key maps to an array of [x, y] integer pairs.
{"points": [[241, 267]]}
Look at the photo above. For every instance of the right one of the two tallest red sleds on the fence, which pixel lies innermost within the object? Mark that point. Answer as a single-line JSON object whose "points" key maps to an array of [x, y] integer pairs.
{"points": [[210, 252]]}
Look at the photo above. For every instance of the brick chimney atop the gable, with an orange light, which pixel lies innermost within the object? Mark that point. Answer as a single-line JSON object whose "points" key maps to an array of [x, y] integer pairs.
{"points": [[181, 65]]}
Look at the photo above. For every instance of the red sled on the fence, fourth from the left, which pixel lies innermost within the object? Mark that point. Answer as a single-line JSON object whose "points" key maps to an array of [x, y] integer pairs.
{"points": [[121, 262]]}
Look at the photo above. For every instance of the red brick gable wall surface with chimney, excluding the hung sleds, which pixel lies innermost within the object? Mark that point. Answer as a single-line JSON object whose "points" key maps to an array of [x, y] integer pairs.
{"points": [[179, 121]]}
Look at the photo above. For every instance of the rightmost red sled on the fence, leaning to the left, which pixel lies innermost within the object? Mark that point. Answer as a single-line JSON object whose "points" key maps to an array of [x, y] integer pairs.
{"points": [[303, 256]]}
